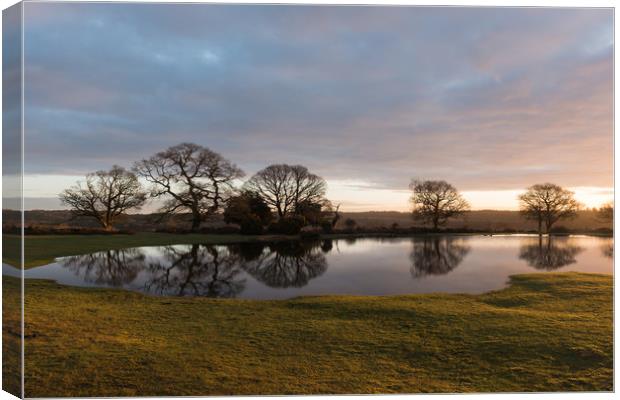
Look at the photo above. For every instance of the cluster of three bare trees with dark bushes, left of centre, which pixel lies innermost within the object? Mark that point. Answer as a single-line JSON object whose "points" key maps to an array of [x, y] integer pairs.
{"points": [[197, 181]]}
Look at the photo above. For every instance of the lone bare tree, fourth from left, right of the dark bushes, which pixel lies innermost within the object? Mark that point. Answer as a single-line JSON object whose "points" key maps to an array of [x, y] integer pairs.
{"points": [[435, 202]]}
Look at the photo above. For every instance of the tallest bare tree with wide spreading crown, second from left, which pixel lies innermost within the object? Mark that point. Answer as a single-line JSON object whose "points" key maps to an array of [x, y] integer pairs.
{"points": [[191, 178]]}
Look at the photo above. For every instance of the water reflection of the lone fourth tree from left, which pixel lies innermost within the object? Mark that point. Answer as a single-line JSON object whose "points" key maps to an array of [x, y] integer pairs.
{"points": [[437, 255]]}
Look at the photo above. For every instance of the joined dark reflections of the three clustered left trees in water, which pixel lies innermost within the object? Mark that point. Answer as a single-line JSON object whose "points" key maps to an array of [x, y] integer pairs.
{"points": [[205, 270]]}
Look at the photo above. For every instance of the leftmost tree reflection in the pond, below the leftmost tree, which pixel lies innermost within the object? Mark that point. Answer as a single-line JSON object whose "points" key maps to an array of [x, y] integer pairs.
{"points": [[112, 268]]}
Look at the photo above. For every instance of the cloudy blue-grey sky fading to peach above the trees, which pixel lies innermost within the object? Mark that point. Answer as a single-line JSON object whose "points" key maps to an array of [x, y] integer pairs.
{"points": [[491, 100]]}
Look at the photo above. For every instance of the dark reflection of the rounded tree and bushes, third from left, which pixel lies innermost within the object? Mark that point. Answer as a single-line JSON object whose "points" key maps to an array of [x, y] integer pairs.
{"points": [[286, 264]]}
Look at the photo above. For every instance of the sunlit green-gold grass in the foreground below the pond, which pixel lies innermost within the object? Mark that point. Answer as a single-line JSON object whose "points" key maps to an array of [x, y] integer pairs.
{"points": [[545, 332]]}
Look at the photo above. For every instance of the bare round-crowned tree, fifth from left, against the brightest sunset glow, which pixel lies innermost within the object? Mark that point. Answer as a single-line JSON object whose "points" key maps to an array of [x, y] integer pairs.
{"points": [[548, 203]]}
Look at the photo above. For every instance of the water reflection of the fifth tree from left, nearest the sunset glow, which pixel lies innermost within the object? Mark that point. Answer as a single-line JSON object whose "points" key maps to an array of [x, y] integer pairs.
{"points": [[550, 253]]}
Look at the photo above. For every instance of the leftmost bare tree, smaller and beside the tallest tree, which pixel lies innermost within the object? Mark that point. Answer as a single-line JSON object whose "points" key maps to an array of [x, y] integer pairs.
{"points": [[105, 195]]}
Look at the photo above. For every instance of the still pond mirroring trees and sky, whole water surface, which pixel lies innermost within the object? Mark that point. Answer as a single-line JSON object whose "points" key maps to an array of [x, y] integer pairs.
{"points": [[422, 264]]}
